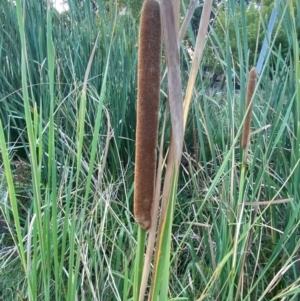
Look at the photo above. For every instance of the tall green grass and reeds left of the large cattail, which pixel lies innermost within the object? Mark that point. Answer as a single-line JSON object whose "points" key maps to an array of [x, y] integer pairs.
{"points": [[57, 112]]}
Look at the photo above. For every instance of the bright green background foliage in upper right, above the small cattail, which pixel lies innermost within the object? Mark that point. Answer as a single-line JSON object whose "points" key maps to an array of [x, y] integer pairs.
{"points": [[257, 15]]}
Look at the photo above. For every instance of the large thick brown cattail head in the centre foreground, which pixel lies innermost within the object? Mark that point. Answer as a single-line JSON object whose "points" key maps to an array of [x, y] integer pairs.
{"points": [[147, 111]]}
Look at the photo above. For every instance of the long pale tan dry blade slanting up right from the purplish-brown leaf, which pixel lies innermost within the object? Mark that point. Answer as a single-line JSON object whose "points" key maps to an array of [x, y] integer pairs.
{"points": [[200, 43]]}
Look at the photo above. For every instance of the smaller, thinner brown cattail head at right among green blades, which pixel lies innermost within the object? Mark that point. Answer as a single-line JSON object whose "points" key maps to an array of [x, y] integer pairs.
{"points": [[250, 91]]}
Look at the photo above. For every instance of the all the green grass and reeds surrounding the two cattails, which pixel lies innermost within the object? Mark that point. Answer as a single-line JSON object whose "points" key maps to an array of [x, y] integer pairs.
{"points": [[67, 111]]}
